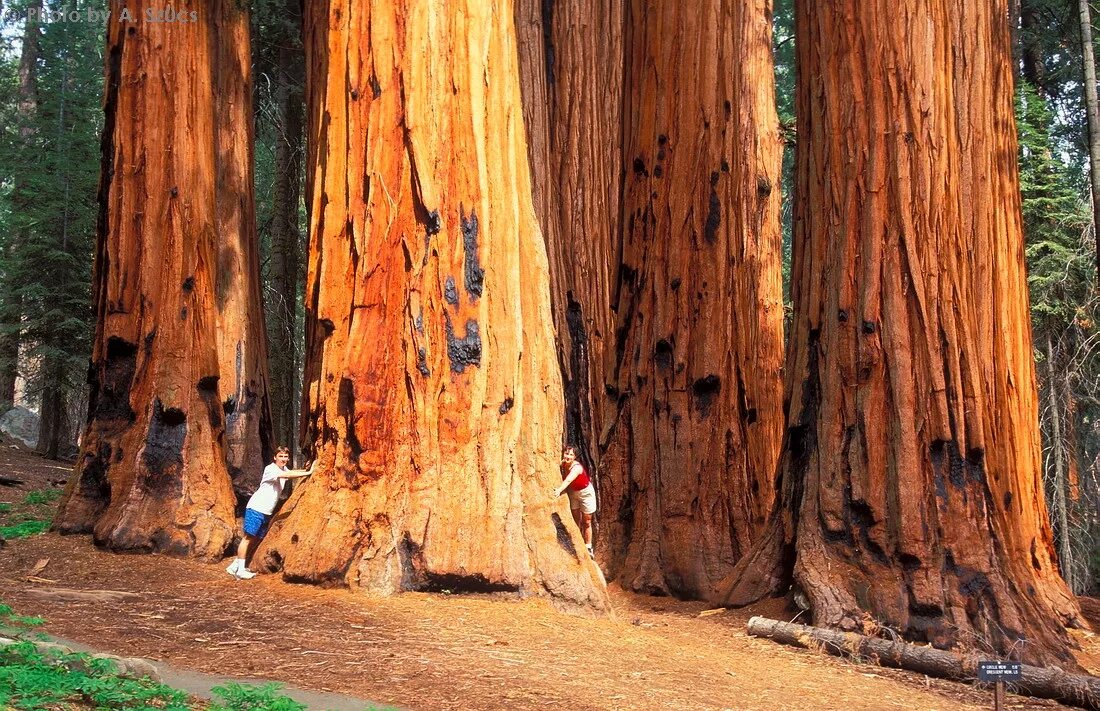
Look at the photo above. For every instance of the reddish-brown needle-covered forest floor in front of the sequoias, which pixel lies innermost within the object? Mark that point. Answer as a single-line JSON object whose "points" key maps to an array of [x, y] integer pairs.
{"points": [[420, 651]]}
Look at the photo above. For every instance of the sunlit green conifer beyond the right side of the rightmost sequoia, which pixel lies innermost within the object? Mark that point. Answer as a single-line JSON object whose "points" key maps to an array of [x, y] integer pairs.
{"points": [[1064, 309]]}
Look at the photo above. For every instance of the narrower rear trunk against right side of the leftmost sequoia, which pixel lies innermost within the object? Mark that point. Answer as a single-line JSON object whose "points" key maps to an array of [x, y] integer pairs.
{"points": [[243, 337]]}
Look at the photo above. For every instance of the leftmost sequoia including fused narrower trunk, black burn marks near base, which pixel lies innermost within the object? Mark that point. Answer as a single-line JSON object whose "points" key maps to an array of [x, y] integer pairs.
{"points": [[178, 380]]}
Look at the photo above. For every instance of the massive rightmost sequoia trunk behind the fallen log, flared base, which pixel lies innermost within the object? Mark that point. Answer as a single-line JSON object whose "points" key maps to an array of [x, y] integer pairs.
{"points": [[910, 476]]}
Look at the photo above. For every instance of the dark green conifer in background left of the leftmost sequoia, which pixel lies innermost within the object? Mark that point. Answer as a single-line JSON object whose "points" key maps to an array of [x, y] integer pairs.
{"points": [[51, 220]]}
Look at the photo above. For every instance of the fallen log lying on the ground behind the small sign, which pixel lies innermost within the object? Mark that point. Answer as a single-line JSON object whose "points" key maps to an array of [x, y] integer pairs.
{"points": [[1044, 683]]}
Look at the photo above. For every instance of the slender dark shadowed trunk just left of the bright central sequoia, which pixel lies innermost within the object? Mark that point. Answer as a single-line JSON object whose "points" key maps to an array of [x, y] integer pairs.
{"points": [[287, 240]]}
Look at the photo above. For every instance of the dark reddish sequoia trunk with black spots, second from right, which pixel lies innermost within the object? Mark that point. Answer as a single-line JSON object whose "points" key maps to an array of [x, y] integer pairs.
{"points": [[687, 477]]}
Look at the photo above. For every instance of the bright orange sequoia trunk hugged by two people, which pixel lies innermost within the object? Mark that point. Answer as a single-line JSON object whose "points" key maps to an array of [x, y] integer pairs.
{"points": [[434, 397]]}
